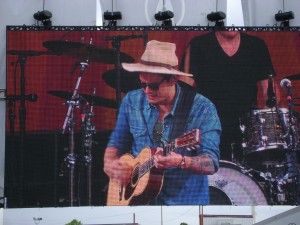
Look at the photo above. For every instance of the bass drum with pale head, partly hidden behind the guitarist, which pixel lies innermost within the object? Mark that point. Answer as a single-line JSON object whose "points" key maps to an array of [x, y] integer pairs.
{"points": [[233, 185]]}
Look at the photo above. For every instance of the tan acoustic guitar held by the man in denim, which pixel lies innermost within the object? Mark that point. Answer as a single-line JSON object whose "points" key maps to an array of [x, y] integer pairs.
{"points": [[146, 180]]}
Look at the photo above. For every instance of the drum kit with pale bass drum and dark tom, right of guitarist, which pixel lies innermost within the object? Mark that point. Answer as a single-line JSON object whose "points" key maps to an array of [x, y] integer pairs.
{"points": [[268, 172]]}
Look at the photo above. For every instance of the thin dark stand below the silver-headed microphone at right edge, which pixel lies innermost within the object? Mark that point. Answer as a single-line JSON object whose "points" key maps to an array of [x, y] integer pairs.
{"points": [[293, 174]]}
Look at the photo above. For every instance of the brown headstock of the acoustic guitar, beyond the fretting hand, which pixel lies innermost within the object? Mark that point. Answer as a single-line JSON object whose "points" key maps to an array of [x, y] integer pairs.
{"points": [[189, 139]]}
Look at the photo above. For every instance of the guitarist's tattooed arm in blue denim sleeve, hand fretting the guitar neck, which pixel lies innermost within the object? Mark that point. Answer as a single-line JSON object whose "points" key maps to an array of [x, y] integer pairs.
{"points": [[206, 161]]}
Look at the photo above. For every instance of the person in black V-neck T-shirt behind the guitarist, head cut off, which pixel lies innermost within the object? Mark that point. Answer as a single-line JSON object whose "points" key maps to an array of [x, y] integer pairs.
{"points": [[230, 67]]}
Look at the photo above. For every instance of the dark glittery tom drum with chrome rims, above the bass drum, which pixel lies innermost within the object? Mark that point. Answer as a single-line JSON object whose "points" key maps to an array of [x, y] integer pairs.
{"points": [[265, 134]]}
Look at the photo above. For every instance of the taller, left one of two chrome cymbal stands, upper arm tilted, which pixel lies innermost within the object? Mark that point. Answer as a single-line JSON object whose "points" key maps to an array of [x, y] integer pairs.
{"points": [[69, 122]]}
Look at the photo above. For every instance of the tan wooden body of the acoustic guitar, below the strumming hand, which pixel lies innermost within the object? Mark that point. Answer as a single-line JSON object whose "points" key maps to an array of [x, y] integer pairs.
{"points": [[141, 189]]}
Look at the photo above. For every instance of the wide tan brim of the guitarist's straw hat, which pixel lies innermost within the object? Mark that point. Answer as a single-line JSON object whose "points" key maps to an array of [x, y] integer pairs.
{"points": [[138, 67]]}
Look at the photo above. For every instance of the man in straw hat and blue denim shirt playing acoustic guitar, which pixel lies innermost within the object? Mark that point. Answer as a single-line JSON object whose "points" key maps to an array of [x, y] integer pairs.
{"points": [[151, 118]]}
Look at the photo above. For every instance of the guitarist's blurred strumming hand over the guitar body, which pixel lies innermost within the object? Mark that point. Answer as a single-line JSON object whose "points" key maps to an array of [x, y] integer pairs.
{"points": [[116, 169]]}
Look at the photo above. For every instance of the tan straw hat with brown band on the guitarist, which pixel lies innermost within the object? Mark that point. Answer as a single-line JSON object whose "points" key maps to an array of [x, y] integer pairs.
{"points": [[159, 57]]}
